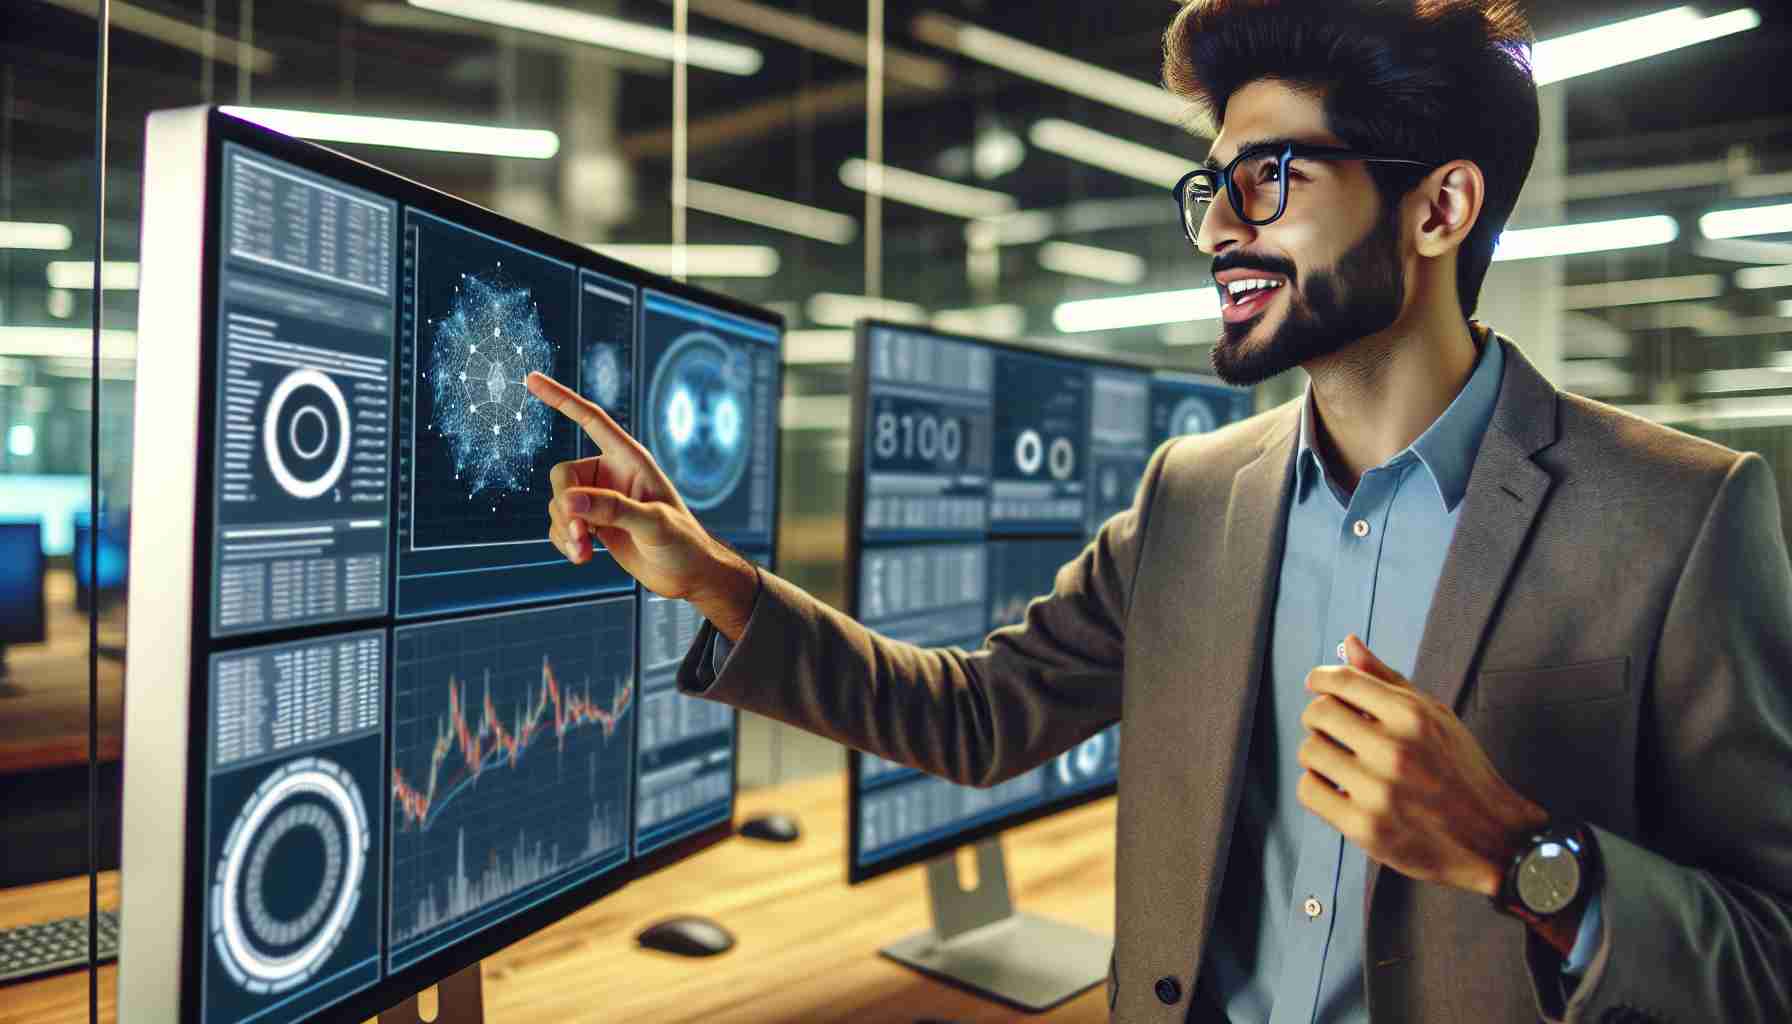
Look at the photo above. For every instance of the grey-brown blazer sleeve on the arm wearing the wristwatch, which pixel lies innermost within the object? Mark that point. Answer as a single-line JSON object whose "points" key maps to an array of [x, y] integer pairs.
{"points": [[1700, 924]]}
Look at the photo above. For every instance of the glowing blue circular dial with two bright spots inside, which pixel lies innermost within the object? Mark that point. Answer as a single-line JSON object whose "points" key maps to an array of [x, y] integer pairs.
{"points": [[698, 412]]}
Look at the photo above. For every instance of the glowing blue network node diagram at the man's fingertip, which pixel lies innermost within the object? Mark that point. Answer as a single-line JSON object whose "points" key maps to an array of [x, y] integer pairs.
{"points": [[481, 356]]}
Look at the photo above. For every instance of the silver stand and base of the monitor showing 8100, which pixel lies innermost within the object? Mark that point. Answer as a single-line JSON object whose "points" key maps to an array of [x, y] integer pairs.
{"points": [[979, 942]]}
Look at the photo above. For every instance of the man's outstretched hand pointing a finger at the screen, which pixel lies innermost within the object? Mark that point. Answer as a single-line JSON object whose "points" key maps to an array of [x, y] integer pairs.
{"points": [[626, 503]]}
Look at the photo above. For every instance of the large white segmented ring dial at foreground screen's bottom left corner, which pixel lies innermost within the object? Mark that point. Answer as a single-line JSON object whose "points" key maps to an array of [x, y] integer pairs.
{"points": [[289, 878]]}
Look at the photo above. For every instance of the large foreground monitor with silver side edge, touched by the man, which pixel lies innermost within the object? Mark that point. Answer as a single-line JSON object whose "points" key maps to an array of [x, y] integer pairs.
{"points": [[377, 725]]}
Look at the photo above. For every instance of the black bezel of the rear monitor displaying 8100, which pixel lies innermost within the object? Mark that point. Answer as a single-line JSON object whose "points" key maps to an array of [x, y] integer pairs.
{"points": [[856, 494]]}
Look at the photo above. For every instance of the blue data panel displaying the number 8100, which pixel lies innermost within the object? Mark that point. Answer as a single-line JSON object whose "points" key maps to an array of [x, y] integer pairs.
{"points": [[929, 422]]}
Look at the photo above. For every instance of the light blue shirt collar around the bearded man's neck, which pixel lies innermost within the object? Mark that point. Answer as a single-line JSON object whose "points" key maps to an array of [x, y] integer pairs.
{"points": [[1447, 449]]}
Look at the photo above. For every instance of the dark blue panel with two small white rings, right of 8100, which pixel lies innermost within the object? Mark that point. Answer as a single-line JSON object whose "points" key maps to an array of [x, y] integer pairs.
{"points": [[1042, 446]]}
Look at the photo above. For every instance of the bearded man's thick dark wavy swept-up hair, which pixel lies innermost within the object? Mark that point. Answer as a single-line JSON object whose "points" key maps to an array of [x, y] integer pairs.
{"points": [[1426, 80]]}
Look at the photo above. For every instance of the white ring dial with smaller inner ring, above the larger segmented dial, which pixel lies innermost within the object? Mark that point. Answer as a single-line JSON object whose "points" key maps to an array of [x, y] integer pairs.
{"points": [[306, 433]]}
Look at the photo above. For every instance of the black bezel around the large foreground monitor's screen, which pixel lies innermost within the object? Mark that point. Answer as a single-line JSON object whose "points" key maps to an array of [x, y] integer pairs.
{"points": [[393, 987]]}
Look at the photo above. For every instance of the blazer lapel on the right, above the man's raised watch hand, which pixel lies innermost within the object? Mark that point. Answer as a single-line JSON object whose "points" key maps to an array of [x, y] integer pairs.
{"points": [[1506, 492]]}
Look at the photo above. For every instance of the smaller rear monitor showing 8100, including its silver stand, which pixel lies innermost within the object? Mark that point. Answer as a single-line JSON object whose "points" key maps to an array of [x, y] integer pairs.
{"points": [[978, 471]]}
